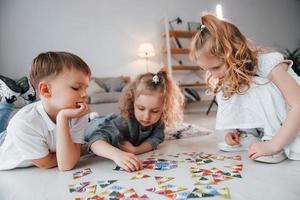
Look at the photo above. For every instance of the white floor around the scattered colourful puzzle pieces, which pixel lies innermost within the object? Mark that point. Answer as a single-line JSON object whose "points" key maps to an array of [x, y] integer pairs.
{"points": [[260, 181]]}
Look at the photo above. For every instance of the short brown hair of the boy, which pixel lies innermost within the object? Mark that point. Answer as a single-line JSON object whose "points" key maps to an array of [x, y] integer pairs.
{"points": [[52, 63]]}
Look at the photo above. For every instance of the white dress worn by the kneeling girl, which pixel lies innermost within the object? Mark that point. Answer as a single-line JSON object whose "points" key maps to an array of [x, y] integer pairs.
{"points": [[261, 106]]}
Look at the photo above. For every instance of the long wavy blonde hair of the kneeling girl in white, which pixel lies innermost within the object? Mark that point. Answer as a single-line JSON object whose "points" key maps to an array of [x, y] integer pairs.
{"points": [[226, 42]]}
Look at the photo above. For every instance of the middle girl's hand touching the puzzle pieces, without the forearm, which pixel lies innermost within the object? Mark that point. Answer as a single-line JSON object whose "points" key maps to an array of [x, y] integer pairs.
{"points": [[128, 161]]}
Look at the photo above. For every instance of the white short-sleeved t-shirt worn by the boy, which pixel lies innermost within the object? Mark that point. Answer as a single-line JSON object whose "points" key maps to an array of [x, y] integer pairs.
{"points": [[31, 135]]}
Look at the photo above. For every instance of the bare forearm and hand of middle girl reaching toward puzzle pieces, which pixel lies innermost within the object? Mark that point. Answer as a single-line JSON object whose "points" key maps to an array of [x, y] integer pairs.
{"points": [[127, 161]]}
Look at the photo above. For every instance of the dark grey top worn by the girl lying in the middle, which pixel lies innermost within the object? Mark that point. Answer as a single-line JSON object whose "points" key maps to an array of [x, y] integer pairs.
{"points": [[114, 129]]}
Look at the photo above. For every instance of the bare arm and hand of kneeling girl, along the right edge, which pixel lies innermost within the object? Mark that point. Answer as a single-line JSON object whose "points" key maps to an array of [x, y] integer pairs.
{"points": [[291, 127]]}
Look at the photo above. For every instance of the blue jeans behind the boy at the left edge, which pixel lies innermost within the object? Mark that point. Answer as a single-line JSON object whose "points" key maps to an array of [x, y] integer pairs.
{"points": [[5, 112]]}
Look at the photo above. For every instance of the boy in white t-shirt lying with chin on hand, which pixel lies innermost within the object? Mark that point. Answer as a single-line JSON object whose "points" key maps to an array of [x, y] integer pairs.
{"points": [[50, 132]]}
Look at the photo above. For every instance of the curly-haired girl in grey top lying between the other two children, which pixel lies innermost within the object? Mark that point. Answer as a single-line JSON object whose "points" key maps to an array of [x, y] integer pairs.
{"points": [[151, 103]]}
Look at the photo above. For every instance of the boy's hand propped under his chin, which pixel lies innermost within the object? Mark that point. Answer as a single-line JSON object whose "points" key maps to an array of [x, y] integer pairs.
{"points": [[82, 110]]}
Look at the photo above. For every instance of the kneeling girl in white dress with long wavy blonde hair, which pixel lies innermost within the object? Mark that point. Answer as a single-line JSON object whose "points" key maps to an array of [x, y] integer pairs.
{"points": [[257, 92]]}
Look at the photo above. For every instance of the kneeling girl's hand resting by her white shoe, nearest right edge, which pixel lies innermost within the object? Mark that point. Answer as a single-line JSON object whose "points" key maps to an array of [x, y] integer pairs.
{"points": [[265, 148]]}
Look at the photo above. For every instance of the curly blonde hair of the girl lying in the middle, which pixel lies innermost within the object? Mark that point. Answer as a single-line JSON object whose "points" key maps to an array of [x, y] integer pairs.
{"points": [[173, 98]]}
